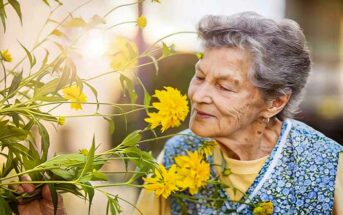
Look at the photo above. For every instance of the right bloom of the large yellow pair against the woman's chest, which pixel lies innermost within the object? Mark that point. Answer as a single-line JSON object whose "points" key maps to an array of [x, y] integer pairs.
{"points": [[194, 171]]}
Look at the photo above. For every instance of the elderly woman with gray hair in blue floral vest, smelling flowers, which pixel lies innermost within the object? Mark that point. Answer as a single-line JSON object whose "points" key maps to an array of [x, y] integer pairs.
{"points": [[244, 92]]}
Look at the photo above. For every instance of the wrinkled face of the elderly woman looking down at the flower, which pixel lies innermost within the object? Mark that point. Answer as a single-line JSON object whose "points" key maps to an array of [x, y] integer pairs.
{"points": [[223, 100]]}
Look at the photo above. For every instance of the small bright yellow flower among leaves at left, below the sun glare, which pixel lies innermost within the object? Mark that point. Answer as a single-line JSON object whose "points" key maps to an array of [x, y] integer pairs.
{"points": [[74, 94]]}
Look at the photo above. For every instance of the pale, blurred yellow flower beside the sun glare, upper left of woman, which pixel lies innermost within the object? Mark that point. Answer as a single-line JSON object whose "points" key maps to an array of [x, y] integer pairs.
{"points": [[123, 54]]}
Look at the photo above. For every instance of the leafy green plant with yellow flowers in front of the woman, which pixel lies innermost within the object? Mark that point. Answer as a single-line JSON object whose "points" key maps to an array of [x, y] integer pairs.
{"points": [[29, 97]]}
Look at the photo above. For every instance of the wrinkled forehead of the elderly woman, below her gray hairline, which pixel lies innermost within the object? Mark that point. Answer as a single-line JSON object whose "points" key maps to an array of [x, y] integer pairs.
{"points": [[223, 62]]}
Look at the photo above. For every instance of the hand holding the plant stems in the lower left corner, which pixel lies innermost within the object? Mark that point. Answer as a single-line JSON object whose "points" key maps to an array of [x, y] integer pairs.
{"points": [[42, 206]]}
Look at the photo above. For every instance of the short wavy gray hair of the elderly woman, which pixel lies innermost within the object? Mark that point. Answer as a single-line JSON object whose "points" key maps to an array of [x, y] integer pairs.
{"points": [[281, 59]]}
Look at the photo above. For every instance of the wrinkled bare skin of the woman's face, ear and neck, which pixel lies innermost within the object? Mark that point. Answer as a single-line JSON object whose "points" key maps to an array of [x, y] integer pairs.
{"points": [[226, 106]]}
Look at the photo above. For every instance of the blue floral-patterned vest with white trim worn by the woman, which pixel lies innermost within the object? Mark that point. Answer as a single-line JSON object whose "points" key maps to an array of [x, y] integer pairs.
{"points": [[298, 177]]}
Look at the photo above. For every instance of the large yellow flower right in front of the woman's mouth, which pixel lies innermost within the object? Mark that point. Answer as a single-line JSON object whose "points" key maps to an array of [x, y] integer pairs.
{"points": [[172, 109]]}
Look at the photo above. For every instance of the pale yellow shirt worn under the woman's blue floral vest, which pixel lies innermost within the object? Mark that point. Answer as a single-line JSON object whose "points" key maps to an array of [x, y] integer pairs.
{"points": [[243, 174]]}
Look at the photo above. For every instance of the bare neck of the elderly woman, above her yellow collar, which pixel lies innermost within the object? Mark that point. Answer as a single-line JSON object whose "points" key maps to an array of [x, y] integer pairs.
{"points": [[252, 142]]}
